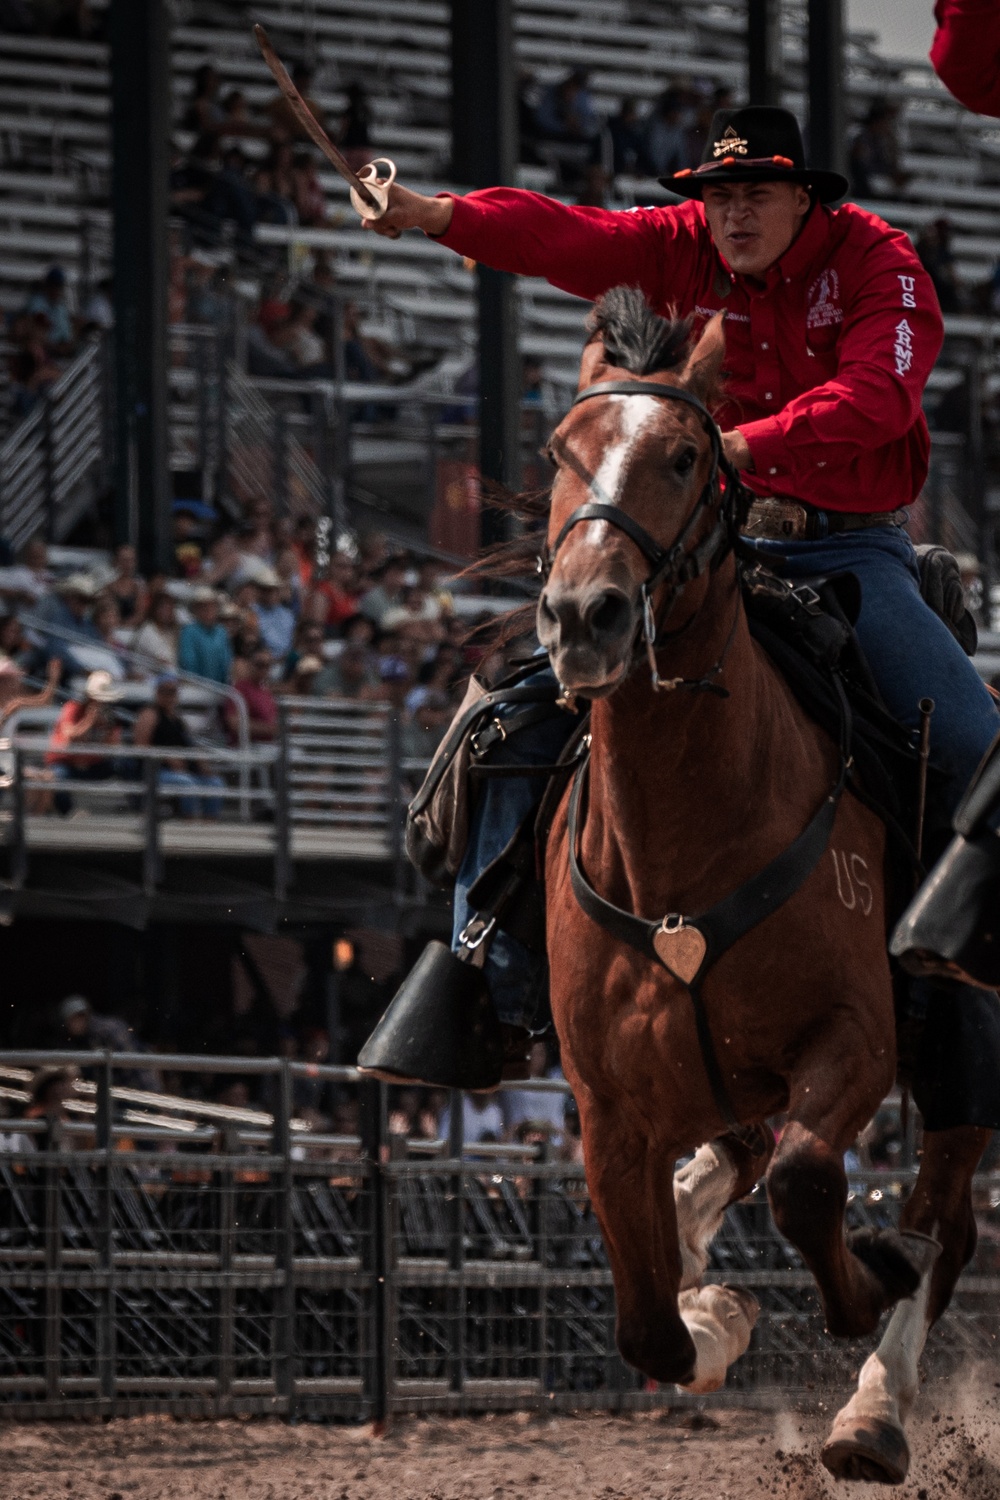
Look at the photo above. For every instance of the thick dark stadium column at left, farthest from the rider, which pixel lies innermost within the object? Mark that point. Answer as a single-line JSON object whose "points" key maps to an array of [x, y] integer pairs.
{"points": [[140, 125]]}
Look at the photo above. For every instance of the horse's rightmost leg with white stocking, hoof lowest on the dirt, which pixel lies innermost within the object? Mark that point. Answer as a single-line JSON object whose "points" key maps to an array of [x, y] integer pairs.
{"points": [[867, 1439]]}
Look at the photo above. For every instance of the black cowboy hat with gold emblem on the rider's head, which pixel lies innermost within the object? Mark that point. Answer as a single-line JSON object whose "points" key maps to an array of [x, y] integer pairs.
{"points": [[756, 145]]}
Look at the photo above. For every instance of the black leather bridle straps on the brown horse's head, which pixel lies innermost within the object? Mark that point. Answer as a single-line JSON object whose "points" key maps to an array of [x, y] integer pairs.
{"points": [[674, 566]]}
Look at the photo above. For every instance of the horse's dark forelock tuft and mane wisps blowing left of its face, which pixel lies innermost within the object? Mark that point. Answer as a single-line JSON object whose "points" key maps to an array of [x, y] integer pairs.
{"points": [[636, 340]]}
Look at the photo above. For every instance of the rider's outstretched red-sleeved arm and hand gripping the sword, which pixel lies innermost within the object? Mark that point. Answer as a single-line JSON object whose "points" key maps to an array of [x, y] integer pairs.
{"points": [[584, 251]]}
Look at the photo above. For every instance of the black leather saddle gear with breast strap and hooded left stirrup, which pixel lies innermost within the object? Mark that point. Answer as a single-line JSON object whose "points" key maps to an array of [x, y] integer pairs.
{"points": [[809, 634]]}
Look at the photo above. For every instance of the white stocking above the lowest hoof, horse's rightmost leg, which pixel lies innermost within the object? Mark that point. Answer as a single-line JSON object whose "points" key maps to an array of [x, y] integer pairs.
{"points": [[890, 1379]]}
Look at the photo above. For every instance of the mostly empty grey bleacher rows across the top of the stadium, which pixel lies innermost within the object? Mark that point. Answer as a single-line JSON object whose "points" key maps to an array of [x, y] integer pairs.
{"points": [[55, 143]]}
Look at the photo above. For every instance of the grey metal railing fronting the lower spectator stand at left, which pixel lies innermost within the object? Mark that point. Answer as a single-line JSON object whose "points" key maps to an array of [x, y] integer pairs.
{"points": [[332, 785]]}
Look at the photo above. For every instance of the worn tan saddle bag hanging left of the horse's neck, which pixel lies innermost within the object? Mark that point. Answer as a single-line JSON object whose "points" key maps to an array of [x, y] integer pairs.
{"points": [[439, 818]]}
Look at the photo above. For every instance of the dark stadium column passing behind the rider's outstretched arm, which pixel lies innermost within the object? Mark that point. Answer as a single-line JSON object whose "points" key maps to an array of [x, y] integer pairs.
{"points": [[485, 155]]}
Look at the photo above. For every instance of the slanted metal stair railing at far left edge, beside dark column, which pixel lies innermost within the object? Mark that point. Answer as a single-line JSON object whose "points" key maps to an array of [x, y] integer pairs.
{"points": [[56, 463]]}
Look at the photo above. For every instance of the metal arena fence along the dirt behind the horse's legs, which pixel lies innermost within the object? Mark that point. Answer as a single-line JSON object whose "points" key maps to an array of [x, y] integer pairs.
{"points": [[190, 1256]]}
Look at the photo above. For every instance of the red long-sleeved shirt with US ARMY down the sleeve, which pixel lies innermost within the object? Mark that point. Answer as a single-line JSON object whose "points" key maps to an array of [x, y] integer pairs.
{"points": [[827, 359]]}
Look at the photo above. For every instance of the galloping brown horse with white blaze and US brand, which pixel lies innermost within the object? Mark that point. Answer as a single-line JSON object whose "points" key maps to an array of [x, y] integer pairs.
{"points": [[692, 793]]}
